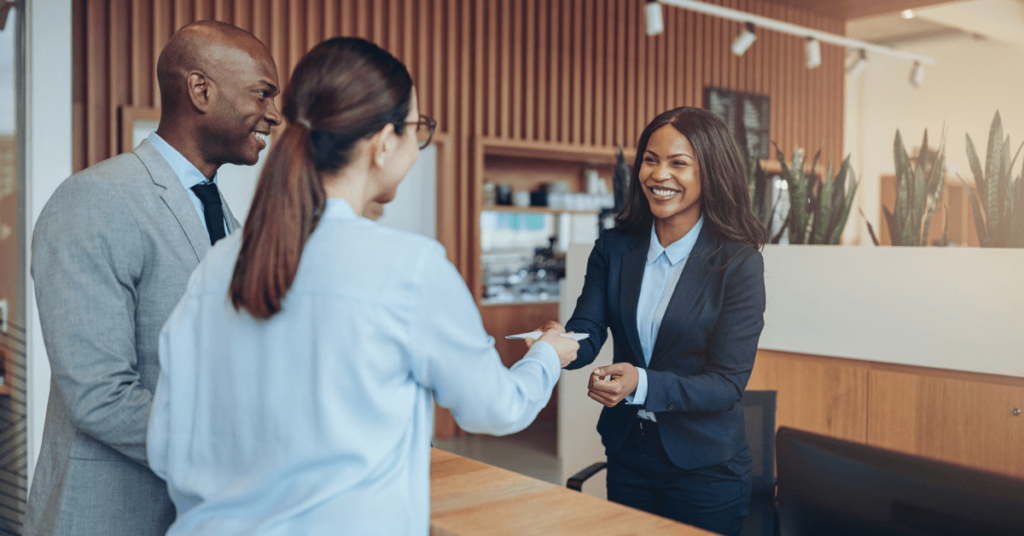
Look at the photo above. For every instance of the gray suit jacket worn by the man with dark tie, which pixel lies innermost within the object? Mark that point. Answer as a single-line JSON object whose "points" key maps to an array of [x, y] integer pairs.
{"points": [[112, 255]]}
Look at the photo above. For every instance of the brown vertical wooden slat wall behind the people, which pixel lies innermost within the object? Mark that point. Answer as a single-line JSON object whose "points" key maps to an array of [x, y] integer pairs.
{"points": [[578, 72]]}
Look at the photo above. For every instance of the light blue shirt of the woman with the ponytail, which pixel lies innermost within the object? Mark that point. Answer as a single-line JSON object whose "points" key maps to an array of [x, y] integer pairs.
{"points": [[319, 421]]}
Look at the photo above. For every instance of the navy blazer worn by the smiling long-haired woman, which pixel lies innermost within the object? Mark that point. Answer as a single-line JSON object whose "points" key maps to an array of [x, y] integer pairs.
{"points": [[705, 349]]}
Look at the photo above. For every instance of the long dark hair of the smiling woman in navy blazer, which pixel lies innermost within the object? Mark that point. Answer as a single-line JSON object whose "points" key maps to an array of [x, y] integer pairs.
{"points": [[726, 201]]}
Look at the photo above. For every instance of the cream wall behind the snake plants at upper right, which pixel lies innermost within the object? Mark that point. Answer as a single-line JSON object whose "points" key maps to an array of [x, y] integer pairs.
{"points": [[972, 80]]}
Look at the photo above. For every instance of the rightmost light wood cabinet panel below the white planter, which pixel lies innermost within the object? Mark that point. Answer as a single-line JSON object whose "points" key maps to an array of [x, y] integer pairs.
{"points": [[950, 419]]}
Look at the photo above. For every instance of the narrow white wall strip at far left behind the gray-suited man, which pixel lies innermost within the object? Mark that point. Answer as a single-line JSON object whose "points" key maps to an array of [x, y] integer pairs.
{"points": [[49, 163]]}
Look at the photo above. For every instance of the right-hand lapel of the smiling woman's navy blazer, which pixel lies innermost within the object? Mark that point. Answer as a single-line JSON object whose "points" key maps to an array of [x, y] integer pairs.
{"points": [[692, 283]]}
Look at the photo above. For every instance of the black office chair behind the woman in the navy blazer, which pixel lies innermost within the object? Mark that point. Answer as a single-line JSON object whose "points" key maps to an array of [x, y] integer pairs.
{"points": [[759, 418]]}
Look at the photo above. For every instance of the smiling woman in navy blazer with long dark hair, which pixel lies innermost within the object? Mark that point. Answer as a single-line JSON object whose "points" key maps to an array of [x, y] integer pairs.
{"points": [[680, 283]]}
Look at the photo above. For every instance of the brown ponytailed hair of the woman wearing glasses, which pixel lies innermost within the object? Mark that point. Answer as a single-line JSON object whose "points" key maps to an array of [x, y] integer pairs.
{"points": [[345, 91]]}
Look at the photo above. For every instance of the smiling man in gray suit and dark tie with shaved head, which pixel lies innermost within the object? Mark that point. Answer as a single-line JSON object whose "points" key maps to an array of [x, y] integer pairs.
{"points": [[112, 255]]}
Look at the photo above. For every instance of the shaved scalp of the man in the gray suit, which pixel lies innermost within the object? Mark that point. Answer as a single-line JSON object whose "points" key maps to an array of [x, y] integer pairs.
{"points": [[199, 47]]}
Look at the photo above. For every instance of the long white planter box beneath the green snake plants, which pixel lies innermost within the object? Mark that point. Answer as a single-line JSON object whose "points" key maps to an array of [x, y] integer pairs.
{"points": [[959, 309]]}
